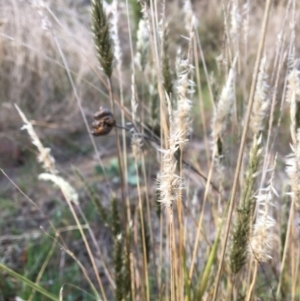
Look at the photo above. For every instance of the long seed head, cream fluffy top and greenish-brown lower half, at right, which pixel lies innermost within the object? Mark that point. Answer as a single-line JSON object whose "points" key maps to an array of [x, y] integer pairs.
{"points": [[241, 231]]}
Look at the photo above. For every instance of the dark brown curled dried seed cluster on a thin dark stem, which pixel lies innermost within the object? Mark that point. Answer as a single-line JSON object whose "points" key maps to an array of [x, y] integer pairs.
{"points": [[103, 123]]}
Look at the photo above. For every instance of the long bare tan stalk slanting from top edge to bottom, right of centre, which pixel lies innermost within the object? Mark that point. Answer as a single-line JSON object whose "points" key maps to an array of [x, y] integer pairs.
{"points": [[242, 145]]}
